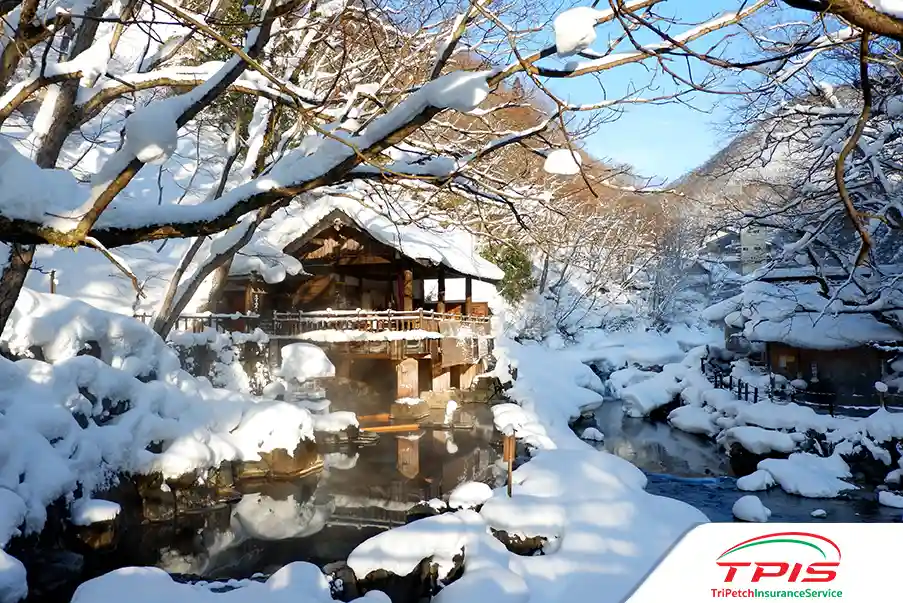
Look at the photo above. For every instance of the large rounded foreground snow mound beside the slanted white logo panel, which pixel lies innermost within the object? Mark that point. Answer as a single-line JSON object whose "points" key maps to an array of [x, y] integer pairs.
{"points": [[604, 530]]}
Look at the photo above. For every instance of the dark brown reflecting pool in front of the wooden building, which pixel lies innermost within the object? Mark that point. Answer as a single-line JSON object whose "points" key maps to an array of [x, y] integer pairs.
{"points": [[320, 518]]}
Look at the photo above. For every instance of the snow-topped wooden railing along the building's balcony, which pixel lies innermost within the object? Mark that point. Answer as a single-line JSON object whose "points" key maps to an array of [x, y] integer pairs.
{"points": [[295, 324]]}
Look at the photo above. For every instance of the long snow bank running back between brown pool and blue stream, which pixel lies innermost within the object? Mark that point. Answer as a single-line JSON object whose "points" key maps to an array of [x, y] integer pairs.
{"points": [[604, 530]]}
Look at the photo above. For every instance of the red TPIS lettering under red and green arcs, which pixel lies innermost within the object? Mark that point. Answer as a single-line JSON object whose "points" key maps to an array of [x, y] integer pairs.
{"points": [[781, 557]]}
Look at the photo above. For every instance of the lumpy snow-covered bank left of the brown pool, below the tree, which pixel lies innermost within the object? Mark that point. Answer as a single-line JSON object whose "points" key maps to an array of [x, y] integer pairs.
{"points": [[80, 421]]}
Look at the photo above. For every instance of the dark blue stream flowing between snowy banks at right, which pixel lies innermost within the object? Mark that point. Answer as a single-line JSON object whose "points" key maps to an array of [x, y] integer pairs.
{"points": [[696, 471]]}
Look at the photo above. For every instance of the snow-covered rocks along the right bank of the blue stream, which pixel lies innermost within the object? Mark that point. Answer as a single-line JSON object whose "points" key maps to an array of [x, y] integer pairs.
{"points": [[760, 427]]}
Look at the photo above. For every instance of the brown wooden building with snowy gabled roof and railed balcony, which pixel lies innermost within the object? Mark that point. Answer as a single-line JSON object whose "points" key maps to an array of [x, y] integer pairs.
{"points": [[369, 289]]}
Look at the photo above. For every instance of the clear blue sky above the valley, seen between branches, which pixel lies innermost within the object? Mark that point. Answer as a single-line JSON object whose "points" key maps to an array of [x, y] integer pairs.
{"points": [[663, 141]]}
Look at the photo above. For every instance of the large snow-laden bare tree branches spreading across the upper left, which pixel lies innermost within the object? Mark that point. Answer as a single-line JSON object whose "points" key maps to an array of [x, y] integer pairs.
{"points": [[107, 106]]}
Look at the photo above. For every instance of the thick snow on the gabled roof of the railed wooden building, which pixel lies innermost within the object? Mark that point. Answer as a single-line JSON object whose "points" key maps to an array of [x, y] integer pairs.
{"points": [[449, 246]]}
